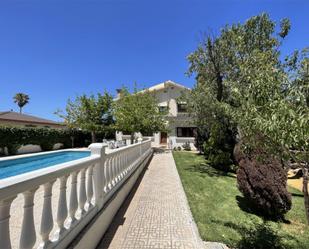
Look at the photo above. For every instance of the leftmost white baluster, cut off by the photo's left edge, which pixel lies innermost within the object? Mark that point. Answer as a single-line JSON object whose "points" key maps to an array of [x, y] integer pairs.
{"points": [[5, 206]]}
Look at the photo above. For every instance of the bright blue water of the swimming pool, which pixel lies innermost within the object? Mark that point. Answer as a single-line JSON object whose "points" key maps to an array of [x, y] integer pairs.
{"points": [[22, 165]]}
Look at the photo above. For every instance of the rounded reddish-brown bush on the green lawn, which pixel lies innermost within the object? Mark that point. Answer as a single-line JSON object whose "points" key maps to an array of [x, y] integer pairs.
{"points": [[263, 182]]}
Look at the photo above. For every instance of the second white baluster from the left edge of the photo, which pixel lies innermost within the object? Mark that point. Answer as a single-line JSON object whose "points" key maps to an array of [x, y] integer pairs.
{"points": [[28, 234]]}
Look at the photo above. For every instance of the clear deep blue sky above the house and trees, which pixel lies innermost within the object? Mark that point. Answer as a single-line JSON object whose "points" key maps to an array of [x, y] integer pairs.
{"points": [[53, 50]]}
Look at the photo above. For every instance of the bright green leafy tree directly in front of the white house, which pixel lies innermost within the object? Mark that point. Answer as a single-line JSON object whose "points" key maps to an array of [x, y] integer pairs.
{"points": [[138, 112]]}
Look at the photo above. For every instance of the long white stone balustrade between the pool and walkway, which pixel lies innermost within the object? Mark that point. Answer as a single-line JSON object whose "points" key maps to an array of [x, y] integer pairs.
{"points": [[93, 180]]}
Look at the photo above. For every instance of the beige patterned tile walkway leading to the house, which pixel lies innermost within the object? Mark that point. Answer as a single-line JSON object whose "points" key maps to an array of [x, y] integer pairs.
{"points": [[156, 214]]}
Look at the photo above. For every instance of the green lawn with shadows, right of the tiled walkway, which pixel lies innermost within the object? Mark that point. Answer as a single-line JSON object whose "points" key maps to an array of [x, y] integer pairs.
{"points": [[215, 203]]}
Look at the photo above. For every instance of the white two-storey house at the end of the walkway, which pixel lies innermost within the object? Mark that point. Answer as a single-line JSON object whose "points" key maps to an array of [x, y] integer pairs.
{"points": [[180, 126]]}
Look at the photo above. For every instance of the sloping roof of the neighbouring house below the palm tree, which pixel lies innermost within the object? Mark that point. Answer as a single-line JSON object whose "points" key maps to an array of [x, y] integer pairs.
{"points": [[17, 117]]}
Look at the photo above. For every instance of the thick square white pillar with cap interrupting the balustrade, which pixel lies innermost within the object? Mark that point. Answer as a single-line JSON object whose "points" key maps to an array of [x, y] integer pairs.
{"points": [[98, 174]]}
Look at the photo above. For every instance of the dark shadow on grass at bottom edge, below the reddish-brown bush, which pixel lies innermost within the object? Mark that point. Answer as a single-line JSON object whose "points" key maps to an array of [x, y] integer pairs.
{"points": [[262, 236]]}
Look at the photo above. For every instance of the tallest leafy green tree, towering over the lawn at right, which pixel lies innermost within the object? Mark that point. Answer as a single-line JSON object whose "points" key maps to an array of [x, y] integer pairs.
{"points": [[243, 79]]}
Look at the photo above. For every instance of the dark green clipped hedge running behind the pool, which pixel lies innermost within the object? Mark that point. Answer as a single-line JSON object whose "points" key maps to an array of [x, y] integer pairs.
{"points": [[13, 137]]}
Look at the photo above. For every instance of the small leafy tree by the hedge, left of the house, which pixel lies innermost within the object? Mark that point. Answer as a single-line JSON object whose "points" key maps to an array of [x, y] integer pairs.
{"points": [[91, 113]]}
